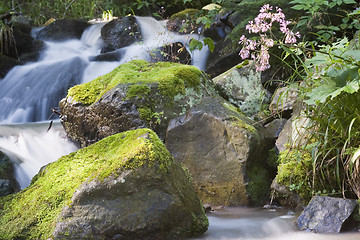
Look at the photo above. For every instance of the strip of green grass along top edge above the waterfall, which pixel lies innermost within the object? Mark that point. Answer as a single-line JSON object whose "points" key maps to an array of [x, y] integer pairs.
{"points": [[42, 10]]}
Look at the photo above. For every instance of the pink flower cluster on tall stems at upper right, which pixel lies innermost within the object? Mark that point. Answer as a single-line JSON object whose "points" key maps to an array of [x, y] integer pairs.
{"points": [[261, 25]]}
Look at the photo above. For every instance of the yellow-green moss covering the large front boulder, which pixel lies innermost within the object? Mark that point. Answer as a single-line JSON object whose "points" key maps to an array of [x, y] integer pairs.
{"points": [[32, 213]]}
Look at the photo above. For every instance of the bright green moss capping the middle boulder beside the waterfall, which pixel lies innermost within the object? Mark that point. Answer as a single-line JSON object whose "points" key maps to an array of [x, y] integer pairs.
{"points": [[172, 78]]}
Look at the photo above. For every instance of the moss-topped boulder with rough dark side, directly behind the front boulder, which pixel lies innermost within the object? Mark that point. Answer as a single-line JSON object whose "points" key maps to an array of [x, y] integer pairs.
{"points": [[134, 95]]}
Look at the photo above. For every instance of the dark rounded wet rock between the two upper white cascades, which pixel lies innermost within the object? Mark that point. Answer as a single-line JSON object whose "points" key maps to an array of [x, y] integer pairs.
{"points": [[120, 33]]}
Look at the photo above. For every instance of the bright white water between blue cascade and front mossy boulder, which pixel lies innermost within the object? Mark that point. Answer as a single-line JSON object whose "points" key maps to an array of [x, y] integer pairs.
{"points": [[31, 146]]}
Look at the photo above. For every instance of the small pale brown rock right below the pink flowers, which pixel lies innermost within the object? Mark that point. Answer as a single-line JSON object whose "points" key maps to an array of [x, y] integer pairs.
{"points": [[284, 100]]}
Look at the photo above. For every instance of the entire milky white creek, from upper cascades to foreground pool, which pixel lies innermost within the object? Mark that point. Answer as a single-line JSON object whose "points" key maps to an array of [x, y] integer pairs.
{"points": [[29, 92]]}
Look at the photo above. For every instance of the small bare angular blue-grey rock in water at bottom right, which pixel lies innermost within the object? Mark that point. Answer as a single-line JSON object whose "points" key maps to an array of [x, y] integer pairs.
{"points": [[326, 214]]}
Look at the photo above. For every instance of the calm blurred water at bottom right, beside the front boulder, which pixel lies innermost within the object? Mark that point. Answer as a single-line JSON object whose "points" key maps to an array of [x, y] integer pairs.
{"points": [[261, 224]]}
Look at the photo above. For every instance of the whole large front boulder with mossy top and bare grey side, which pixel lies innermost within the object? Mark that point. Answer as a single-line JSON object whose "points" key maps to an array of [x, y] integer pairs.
{"points": [[126, 186]]}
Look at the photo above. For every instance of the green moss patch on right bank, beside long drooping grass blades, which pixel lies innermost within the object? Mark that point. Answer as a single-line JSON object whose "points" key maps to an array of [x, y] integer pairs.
{"points": [[295, 172]]}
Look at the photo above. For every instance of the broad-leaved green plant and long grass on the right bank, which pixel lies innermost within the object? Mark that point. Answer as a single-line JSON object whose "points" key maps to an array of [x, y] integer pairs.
{"points": [[332, 98]]}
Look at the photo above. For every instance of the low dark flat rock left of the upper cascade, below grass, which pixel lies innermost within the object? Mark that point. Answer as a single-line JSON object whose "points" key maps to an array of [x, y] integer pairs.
{"points": [[63, 29]]}
